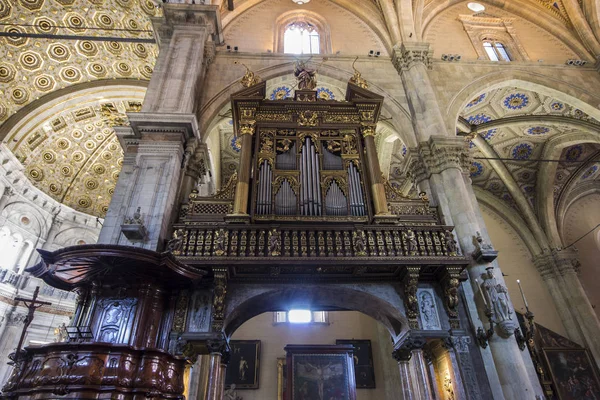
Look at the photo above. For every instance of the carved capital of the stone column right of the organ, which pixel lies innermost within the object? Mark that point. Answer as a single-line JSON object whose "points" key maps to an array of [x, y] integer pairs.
{"points": [[438, 154]]}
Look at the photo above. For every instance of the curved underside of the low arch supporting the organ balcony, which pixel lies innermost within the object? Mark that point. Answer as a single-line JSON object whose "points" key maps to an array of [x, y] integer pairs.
{"points": [[379, 301]]}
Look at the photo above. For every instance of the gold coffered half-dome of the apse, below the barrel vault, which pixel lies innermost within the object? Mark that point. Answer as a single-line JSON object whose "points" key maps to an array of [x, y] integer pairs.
{"points": [[75, 156]]}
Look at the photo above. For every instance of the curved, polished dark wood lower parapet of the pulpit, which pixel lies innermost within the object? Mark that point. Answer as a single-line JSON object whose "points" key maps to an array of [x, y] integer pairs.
{"points": [[88, 369]]}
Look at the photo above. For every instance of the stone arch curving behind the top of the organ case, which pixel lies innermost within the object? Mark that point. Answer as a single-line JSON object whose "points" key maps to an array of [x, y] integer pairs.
{"points": [[208, 114]]}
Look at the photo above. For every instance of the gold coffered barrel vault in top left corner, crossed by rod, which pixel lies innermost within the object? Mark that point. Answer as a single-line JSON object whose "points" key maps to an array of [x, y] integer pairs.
{"points": [[33, 67]]}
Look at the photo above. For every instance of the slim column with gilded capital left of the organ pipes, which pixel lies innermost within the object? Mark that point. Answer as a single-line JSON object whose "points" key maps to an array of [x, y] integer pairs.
{"points": [[242, 189]]}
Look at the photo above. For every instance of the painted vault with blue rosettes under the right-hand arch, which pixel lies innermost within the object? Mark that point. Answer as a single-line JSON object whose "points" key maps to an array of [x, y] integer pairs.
{"points": [[532, 120]]}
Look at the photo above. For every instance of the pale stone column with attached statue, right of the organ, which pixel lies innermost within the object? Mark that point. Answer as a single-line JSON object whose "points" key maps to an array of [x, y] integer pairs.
{"points": [[442, 161]]}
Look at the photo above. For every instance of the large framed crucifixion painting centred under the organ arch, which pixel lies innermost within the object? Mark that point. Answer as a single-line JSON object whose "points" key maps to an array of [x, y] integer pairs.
{"points": [[320, 372]]}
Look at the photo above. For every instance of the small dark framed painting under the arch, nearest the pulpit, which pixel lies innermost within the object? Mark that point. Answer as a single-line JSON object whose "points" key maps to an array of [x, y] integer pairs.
{"points": [[244, 364]]}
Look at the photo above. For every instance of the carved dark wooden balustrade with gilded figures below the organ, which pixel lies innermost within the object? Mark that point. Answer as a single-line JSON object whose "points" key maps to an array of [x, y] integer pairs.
{"points": [[264, 241]]}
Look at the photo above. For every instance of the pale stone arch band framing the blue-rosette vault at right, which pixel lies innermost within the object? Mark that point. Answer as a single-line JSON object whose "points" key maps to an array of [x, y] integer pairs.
{"points": [[577, 96]]}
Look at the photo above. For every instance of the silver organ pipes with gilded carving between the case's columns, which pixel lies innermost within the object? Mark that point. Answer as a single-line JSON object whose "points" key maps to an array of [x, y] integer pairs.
{"points": [[308, 173]]}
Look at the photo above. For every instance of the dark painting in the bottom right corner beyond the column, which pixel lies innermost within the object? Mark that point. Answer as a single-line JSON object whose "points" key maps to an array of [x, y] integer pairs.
{"points": [[573, 373]]}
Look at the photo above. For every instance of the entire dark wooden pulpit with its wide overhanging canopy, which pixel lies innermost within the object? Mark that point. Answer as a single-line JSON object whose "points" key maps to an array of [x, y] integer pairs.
{"points": [[117, 345]]}
